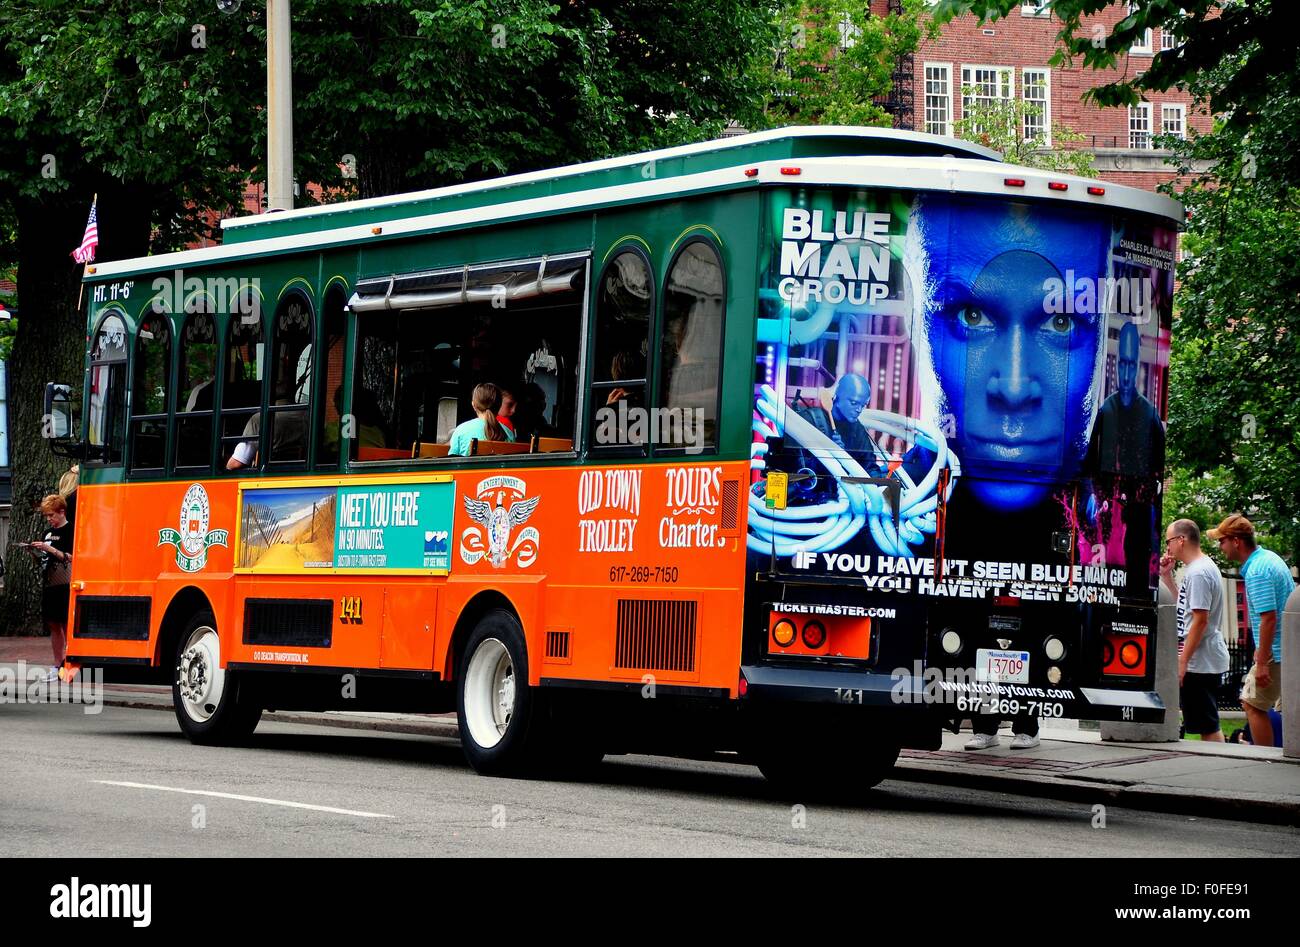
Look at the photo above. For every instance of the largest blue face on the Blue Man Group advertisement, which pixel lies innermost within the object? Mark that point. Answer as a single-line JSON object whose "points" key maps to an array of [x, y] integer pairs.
{"points": [[1016, 377]]}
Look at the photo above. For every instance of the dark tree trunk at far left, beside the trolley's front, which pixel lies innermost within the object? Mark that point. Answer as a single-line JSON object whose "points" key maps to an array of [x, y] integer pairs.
{"points": [[49, 347]]}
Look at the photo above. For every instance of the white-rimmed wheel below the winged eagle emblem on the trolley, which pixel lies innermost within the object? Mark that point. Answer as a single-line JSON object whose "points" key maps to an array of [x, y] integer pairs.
{"points": [[504, 721]]}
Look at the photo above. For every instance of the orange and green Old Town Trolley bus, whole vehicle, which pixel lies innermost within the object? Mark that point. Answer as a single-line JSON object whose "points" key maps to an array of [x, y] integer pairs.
{"points": [[820, 440]]}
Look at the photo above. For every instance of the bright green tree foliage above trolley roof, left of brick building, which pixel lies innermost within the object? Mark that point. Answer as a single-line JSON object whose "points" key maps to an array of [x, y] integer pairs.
{"points": [[838, 60]]}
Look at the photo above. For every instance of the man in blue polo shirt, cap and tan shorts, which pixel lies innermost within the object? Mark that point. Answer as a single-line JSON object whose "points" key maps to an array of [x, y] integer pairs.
{"points": [[1268, 586]]}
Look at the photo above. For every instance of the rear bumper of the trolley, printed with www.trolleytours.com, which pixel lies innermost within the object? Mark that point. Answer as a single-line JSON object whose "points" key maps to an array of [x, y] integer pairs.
{"points": [[772, 685]]}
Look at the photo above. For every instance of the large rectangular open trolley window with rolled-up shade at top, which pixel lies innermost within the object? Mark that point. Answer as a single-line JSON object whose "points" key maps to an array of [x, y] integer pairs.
{"points": [[513, 325]]}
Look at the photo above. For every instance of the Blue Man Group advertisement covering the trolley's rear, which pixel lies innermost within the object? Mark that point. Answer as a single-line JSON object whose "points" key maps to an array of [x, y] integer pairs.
{"points": [[965, 379]]}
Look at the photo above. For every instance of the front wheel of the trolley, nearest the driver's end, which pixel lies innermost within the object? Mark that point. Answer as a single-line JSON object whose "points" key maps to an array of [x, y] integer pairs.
{"points": [[211, 704]]}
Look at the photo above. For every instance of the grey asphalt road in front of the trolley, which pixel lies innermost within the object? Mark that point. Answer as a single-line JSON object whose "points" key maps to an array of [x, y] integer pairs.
{"points": [[127, 784]]}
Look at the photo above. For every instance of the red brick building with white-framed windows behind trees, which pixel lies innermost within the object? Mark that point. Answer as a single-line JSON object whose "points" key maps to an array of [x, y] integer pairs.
{"points": [[1009, 59]]}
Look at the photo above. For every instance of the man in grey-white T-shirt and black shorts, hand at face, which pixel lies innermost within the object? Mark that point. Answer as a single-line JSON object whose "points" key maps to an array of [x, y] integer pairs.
{"points": [[1201, 628]]}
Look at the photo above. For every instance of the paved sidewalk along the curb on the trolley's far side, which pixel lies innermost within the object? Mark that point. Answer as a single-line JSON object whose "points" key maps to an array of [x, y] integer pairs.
{"points": [[1193, 779]]}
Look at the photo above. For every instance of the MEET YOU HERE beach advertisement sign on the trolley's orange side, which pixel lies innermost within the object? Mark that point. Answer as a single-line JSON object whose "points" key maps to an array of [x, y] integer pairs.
{"points": [[380, 527]]}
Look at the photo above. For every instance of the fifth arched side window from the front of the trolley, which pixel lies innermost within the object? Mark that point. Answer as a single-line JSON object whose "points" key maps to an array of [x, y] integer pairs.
{"points": [[291, 383]]}
